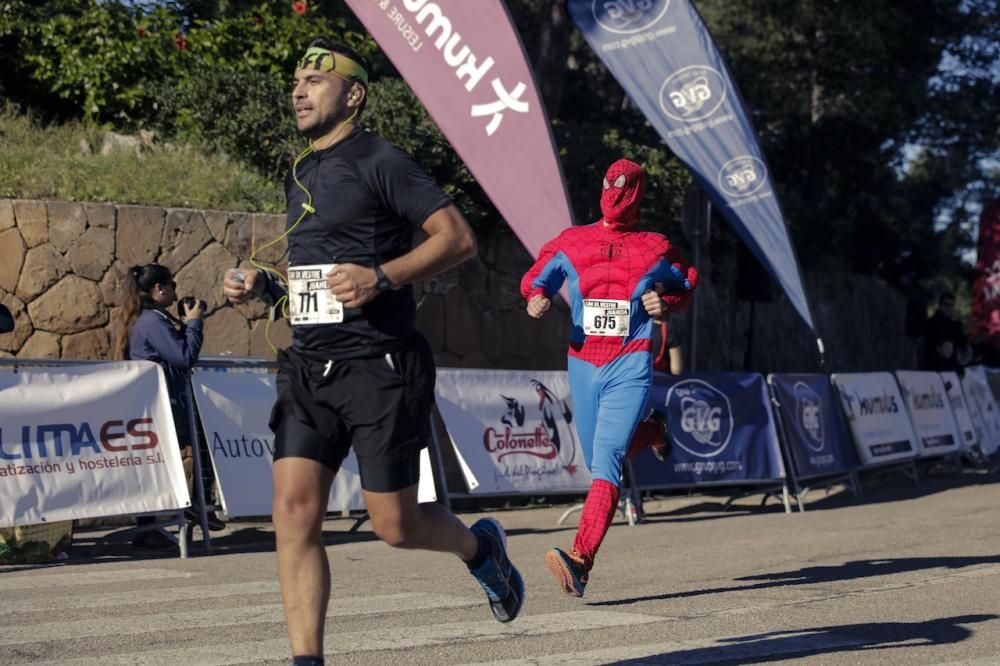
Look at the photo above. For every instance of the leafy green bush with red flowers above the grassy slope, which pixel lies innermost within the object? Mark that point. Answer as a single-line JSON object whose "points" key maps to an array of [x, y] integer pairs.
{"points": [[115, 61]]}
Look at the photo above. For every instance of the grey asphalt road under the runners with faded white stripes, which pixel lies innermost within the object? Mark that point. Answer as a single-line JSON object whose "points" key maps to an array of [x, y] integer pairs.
{"points": [[908, 575]]}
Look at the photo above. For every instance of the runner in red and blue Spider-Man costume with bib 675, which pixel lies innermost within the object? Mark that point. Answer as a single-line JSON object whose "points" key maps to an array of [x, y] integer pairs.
{"points": [[620, 280]]}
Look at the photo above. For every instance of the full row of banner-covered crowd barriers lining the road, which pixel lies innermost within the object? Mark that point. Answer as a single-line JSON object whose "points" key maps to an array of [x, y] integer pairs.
{"points": [[86, 440]]}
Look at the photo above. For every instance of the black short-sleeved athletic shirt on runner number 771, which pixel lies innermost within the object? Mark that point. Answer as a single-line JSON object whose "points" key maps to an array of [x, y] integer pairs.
{"points": [[368, 195]]}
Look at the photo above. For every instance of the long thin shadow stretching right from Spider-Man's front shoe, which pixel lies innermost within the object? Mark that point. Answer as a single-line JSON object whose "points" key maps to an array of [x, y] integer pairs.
{"points": [[822, 574]]}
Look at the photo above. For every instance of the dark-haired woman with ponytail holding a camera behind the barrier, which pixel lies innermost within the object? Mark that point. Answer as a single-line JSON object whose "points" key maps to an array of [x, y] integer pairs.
{"points": [[145, 330]]}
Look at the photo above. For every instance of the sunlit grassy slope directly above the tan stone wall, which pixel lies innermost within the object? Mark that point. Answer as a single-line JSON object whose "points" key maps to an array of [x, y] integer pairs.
{"points": [[57, 162]]}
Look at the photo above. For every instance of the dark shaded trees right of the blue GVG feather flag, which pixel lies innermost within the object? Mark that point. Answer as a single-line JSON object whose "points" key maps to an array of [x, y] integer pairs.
{"points": [[842, 96]]}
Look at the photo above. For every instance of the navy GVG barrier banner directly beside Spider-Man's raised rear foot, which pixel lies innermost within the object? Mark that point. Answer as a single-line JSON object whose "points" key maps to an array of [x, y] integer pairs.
{"points": [[722, 431]]}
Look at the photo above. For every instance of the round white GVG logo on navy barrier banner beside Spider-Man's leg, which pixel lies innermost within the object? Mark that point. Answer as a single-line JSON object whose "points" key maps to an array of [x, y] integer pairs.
{"points": [[705, 417]]}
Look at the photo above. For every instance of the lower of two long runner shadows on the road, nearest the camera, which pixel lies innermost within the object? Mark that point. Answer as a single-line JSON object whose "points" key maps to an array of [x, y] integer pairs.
{"points": [[784, 645]]}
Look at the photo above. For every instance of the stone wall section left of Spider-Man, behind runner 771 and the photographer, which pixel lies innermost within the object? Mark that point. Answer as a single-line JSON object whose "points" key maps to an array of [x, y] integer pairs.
{"points": [[62, 263]]}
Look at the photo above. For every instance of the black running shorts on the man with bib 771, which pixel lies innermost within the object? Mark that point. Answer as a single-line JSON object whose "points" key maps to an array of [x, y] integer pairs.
{"points": [[378, 405]]}
